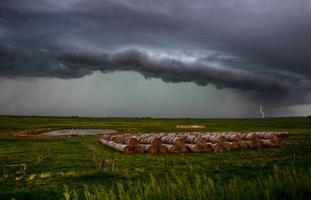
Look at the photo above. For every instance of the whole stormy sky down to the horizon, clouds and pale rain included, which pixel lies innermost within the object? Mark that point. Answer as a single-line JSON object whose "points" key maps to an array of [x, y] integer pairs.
{"points": [[155, 58]]}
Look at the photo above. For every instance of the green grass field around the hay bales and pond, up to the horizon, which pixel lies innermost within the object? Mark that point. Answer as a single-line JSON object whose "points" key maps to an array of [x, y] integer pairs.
{"points": [[82, 168]]}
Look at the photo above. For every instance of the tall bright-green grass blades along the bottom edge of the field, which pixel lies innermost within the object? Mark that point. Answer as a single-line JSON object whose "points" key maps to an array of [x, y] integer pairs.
{"points": [[286, 184]]}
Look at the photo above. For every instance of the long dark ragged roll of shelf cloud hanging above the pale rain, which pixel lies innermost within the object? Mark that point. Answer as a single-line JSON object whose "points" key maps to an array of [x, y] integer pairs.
{"points": [[73, 63]]}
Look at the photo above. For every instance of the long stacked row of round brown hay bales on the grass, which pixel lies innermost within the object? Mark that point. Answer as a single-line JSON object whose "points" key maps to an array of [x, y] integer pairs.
{"points": [[190, 141]]}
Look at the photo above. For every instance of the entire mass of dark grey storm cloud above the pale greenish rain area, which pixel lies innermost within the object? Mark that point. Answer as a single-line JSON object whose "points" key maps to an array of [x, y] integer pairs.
{"points": [[269, 40]]}
